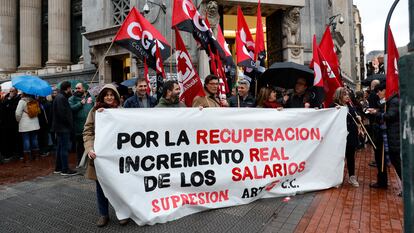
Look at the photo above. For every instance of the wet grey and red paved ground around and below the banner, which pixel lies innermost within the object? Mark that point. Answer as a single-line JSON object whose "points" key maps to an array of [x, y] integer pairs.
{"points": [[53, 203]]}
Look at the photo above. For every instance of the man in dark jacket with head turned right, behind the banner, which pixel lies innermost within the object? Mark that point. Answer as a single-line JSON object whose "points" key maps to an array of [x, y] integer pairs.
{"points": [[170, 95]]}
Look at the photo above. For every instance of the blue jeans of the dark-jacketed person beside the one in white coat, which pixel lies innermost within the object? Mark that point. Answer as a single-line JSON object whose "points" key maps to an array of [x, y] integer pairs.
{"points": [[62, 151]]}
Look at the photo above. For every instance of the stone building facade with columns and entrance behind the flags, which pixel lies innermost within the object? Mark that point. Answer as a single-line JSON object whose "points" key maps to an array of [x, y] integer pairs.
{"points": [[57, 40]]}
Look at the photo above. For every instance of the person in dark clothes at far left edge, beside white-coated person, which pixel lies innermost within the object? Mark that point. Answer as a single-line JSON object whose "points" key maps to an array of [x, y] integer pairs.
{"points": [[10, 139]]}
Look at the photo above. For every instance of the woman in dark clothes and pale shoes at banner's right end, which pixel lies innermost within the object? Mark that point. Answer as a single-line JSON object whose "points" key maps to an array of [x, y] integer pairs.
{"points": [[341, 98]]}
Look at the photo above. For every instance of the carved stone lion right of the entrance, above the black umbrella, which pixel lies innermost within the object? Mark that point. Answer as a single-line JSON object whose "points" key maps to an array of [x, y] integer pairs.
{"points": [[291, 27]]}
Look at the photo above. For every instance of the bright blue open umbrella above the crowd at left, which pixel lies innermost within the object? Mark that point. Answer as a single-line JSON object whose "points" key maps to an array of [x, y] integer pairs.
{"points": [[32, 85]]}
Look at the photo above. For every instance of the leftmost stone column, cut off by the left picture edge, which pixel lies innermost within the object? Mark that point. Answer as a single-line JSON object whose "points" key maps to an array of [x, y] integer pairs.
{"points": [[8, 17]]}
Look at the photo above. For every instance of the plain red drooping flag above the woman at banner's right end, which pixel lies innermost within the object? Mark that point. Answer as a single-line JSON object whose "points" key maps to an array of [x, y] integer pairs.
{"points": [[328, 50]]}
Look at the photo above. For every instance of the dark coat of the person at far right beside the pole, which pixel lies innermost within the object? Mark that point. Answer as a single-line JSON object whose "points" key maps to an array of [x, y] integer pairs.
{"points": [[392, 120]]}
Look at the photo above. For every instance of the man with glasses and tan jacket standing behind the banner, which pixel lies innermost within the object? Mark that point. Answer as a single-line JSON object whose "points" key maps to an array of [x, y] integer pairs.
{"points": [[211, 99]]}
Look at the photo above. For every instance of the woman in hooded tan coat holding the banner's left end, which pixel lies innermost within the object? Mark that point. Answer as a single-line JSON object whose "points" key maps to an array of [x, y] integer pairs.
{"points": [[108, 97]]}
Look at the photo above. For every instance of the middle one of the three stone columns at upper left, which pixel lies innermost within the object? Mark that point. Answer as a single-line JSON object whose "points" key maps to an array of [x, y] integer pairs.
{"points": [[30, 34]]}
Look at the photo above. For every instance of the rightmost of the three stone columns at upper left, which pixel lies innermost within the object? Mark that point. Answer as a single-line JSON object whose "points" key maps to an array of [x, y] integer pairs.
{"points": [[59, 33]]}
